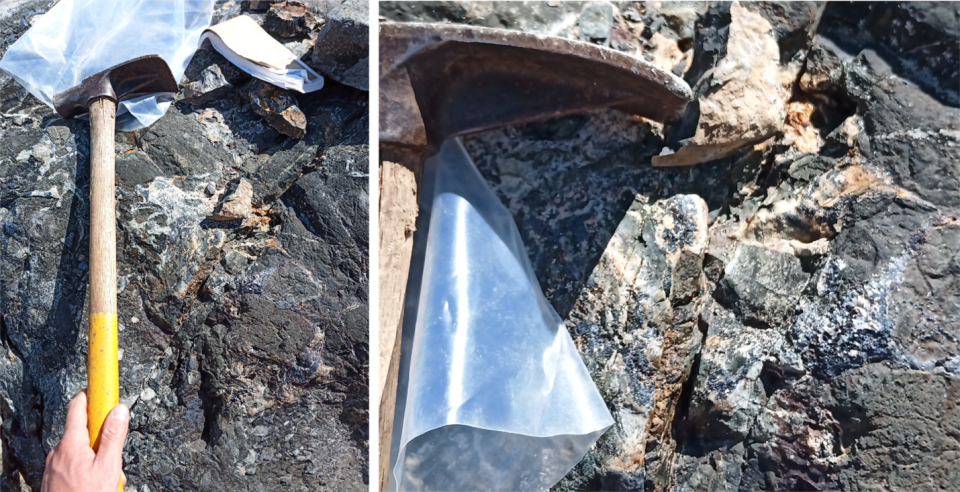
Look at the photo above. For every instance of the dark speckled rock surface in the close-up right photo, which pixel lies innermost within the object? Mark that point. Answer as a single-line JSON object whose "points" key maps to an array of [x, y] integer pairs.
{"points": [[812, 341]]}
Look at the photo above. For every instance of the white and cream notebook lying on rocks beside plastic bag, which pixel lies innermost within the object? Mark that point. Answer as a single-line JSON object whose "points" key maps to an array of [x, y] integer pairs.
{"points": [[242, 41]]}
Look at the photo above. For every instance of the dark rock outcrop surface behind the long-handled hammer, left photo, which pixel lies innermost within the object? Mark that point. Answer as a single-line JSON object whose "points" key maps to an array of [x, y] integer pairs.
{"points": [[245, 340]]}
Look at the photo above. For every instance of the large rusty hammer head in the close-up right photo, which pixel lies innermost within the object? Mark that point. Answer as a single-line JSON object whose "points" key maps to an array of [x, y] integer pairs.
{"points": [[437, 81]]}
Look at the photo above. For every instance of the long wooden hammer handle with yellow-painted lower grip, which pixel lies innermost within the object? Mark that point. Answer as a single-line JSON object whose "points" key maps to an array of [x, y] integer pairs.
{"points": [[103, 384]]}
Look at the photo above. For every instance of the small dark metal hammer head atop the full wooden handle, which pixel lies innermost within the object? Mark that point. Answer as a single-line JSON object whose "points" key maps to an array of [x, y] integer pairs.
{"points": [[137, 77]]}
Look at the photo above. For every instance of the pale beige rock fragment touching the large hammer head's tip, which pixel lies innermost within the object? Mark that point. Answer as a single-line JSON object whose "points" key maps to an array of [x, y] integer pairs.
{"points": [[745, 100]]}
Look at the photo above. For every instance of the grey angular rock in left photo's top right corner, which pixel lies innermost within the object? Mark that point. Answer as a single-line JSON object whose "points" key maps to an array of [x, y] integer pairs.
{"points": [[342, 50]]}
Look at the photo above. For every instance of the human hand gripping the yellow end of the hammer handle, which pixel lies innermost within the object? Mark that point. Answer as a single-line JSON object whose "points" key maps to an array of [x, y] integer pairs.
{"points": [[73, 466]]}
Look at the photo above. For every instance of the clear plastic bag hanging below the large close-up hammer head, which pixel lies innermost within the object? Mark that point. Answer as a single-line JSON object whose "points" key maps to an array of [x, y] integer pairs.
{"points": [[495, 395]]}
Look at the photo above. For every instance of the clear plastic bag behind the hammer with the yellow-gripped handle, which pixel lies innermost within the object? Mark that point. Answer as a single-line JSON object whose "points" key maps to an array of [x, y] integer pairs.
{"points": [[78, 38]]}
